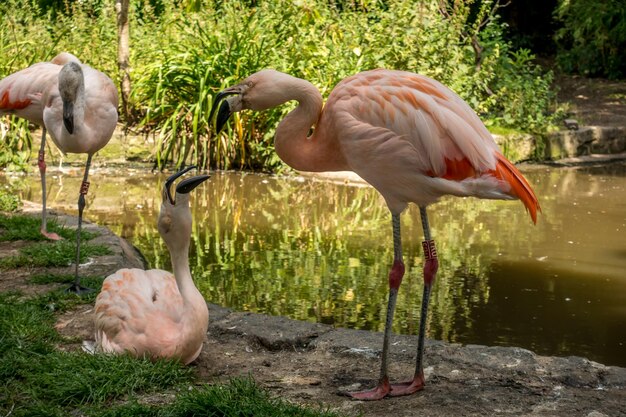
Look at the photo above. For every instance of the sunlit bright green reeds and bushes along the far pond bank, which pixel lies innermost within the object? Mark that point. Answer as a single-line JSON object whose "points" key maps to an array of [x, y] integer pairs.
{"points": [[182, 56]]}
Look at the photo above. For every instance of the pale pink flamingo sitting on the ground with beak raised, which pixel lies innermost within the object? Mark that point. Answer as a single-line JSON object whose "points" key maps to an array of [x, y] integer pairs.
{"points": [[154, 313]]}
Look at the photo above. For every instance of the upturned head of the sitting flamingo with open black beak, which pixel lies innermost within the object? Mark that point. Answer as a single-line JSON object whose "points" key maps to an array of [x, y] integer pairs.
{"points": [[174, 222]]}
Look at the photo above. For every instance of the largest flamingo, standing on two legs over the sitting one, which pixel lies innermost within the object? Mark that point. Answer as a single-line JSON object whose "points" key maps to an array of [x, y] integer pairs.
{"points": [[410, 137]]}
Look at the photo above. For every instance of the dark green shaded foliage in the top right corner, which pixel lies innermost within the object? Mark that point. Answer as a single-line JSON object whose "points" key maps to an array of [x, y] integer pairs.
{"points": [[592, 40]]}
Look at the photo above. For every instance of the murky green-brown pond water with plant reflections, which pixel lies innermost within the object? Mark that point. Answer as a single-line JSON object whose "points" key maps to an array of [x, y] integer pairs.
{"points": [[321, 252]]}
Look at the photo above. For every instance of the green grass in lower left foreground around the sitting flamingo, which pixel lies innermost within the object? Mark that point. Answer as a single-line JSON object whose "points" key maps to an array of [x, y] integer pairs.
{"points": [[38, 379]]}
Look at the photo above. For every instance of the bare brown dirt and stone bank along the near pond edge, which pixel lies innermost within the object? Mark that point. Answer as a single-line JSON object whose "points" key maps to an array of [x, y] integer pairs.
{"points": [[314, 364]]}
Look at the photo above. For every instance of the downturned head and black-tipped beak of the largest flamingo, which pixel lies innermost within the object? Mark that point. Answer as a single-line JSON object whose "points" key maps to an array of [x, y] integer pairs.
{"points": [[262, 90]]}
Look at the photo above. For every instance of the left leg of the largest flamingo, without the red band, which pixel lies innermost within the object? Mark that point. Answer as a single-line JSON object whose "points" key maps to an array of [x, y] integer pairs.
{"points": [[395, 279]]}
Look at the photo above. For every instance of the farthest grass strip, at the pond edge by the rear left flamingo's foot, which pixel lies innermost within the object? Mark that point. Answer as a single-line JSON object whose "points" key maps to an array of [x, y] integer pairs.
{"points": [[27, 228]]}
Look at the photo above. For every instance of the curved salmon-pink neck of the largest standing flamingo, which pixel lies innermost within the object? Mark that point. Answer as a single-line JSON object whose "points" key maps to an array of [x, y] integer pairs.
{"points": [[315, 153]]}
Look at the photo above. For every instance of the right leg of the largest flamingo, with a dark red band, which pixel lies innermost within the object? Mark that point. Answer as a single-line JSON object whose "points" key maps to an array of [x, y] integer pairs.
{"points": [[431, 265]]}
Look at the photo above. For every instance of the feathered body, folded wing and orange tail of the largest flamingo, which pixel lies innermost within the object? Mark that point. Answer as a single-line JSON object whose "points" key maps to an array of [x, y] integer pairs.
{"points": [[415, 140]]}
